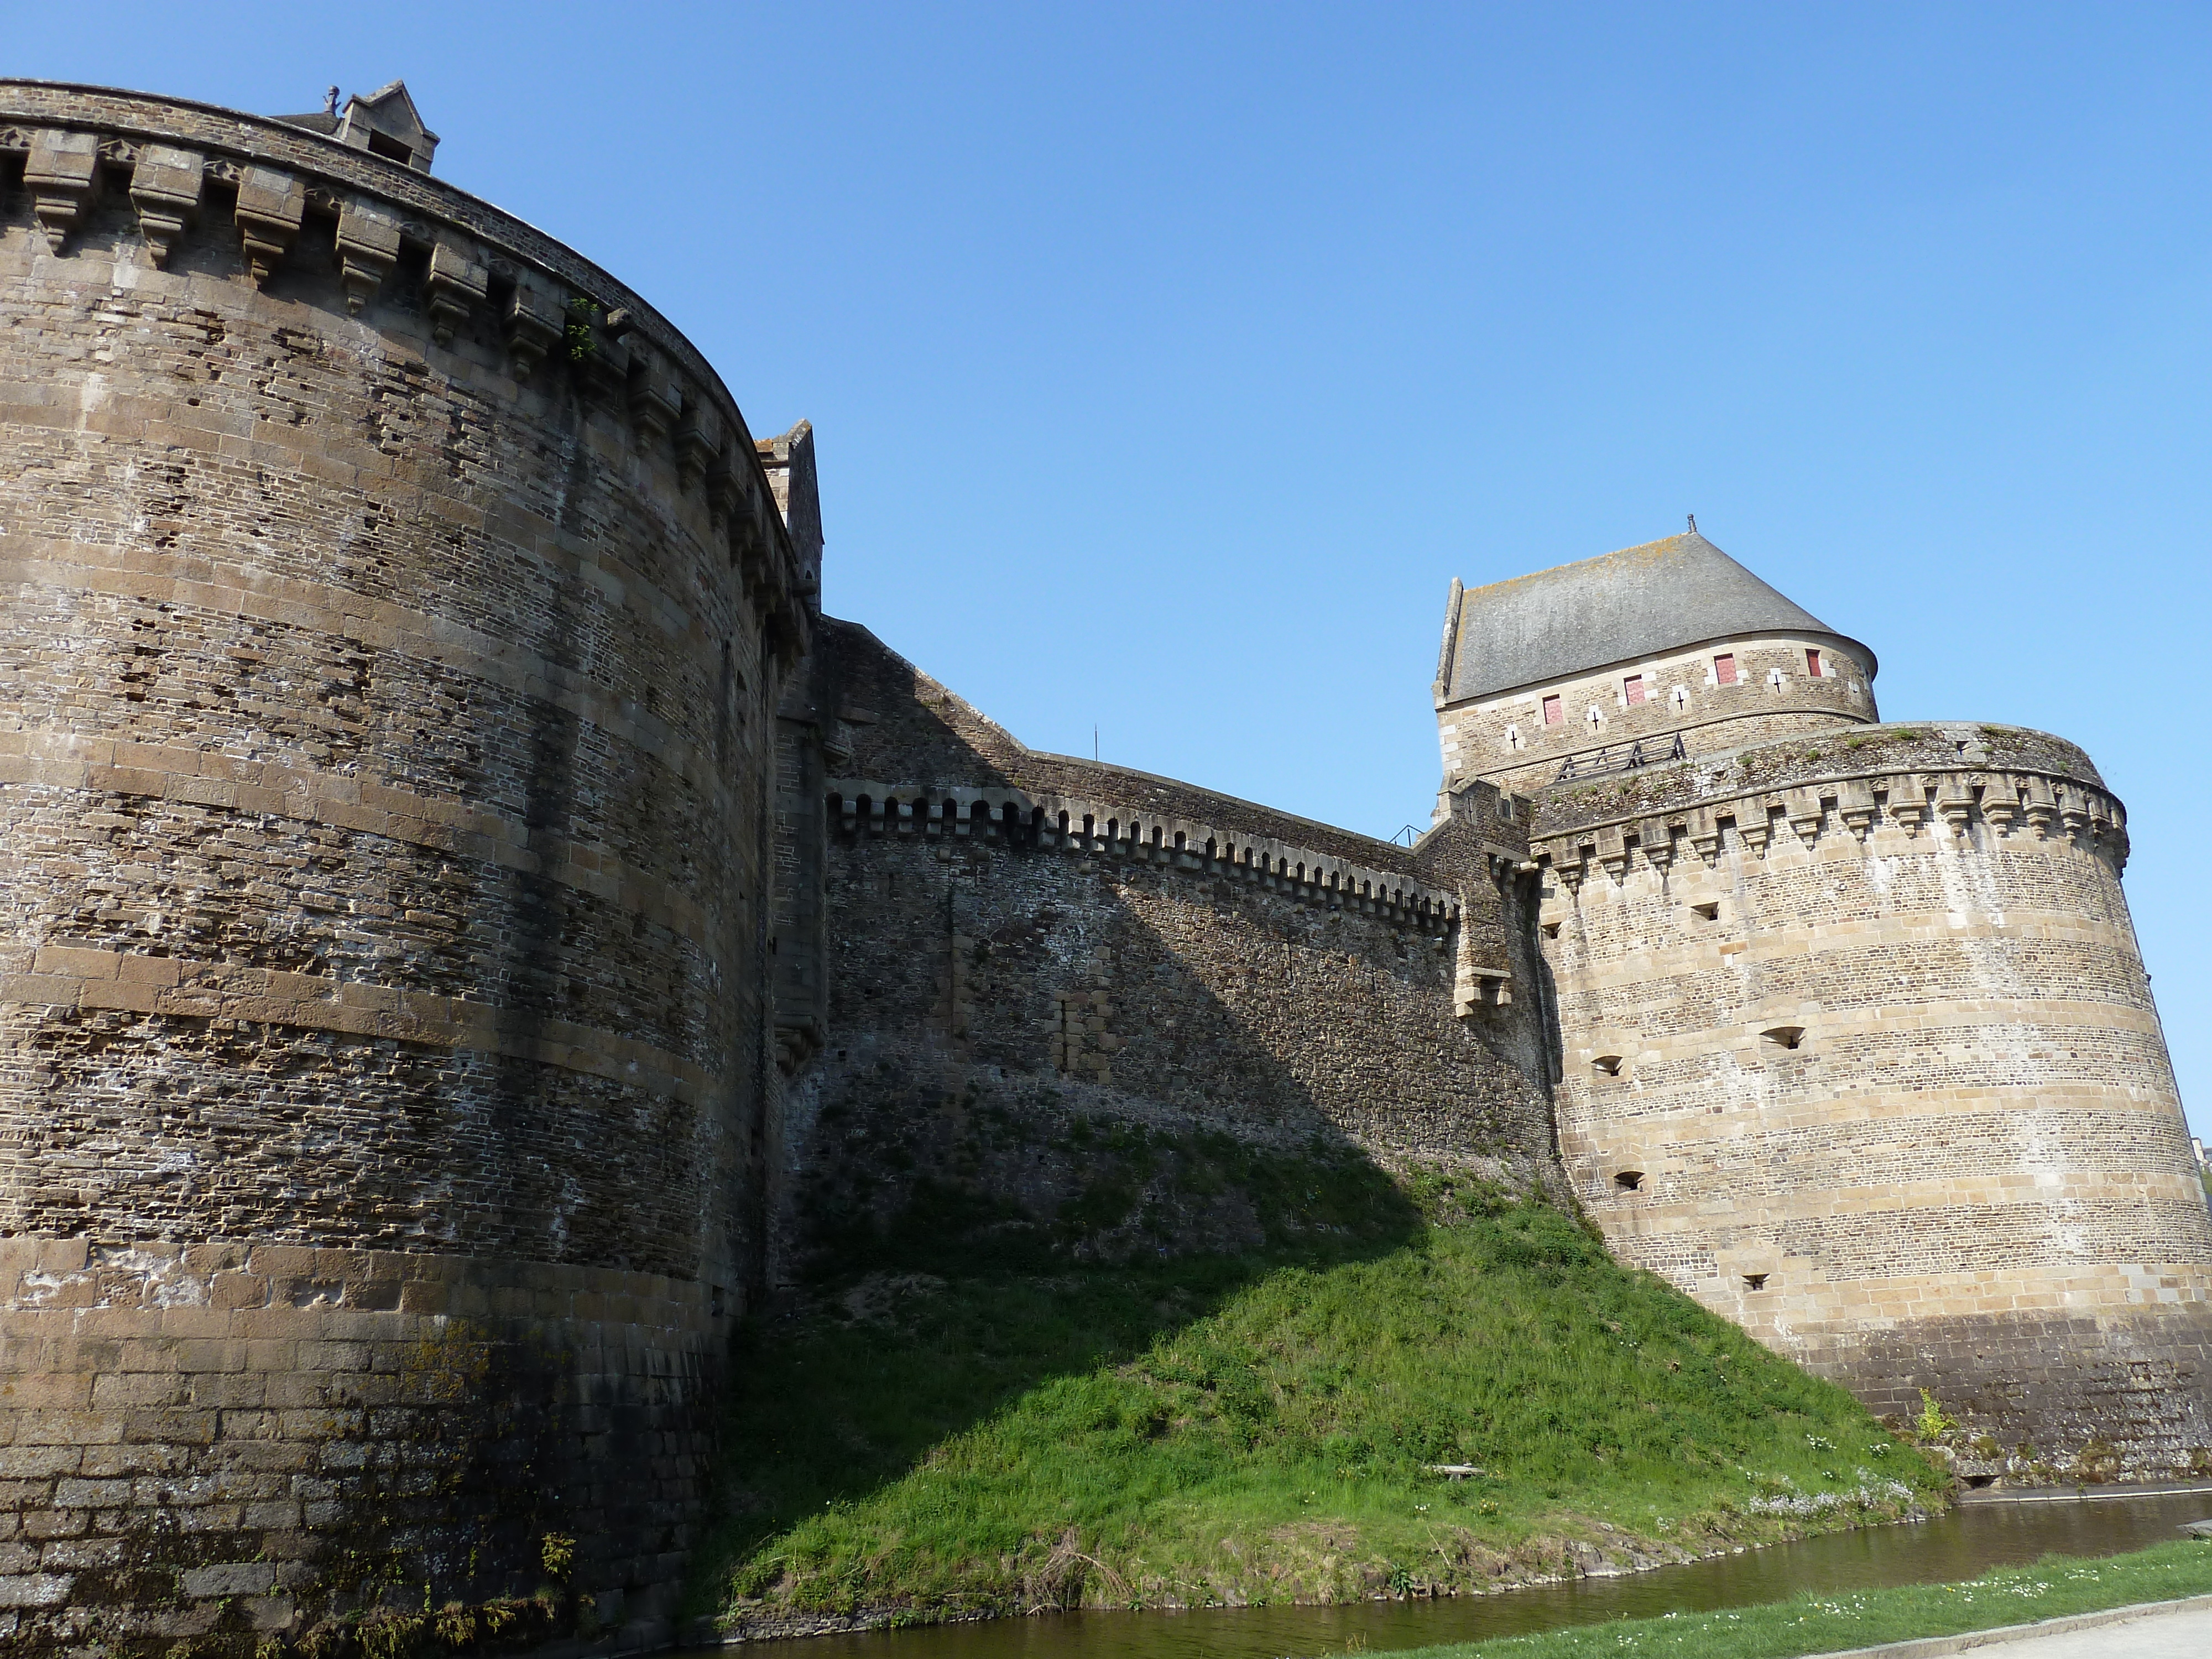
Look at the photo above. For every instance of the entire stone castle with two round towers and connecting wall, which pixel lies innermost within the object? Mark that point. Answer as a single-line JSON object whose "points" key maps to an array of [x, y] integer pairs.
{"points": [[474, 928]]}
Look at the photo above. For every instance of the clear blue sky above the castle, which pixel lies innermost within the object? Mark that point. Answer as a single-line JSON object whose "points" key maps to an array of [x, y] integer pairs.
{"points": [[1169, 362]]}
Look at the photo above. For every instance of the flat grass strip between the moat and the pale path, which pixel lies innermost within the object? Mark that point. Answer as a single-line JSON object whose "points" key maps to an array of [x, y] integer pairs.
{"points": [[1811, 1625]]}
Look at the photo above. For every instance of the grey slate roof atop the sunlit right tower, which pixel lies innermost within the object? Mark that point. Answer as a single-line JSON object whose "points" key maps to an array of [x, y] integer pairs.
{"points": [[1620, 607]]}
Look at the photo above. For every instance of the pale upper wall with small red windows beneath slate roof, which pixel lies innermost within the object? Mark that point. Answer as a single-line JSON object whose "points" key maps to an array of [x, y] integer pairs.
{"points": [[1505, 740]]}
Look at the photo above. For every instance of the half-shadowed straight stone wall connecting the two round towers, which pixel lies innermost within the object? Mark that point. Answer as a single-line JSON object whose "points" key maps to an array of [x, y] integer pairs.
{"points": [[1016, 941]]}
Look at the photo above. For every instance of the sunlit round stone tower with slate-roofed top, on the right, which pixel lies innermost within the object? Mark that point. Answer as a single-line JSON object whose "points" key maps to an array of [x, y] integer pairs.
{"points": [[1853, 1034]]}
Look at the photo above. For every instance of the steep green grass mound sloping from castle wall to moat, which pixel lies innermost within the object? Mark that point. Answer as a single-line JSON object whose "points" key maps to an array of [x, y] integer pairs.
{"points": [[1260, 1428]]}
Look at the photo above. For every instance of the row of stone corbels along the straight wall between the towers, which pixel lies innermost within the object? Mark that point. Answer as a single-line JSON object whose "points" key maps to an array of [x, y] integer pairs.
{"points": [[1118, 833]]}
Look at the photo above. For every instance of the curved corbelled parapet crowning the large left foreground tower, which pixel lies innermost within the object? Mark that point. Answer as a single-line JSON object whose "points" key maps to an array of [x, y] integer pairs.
{"points": [[269, 189]]}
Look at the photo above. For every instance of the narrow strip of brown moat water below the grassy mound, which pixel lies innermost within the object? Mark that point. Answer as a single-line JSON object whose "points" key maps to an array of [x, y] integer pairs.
{"points": [[1961, 1545]]}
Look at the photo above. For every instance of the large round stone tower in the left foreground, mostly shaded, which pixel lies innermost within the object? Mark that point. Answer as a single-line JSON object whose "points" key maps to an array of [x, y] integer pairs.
{"points": [[395, 625]]}
